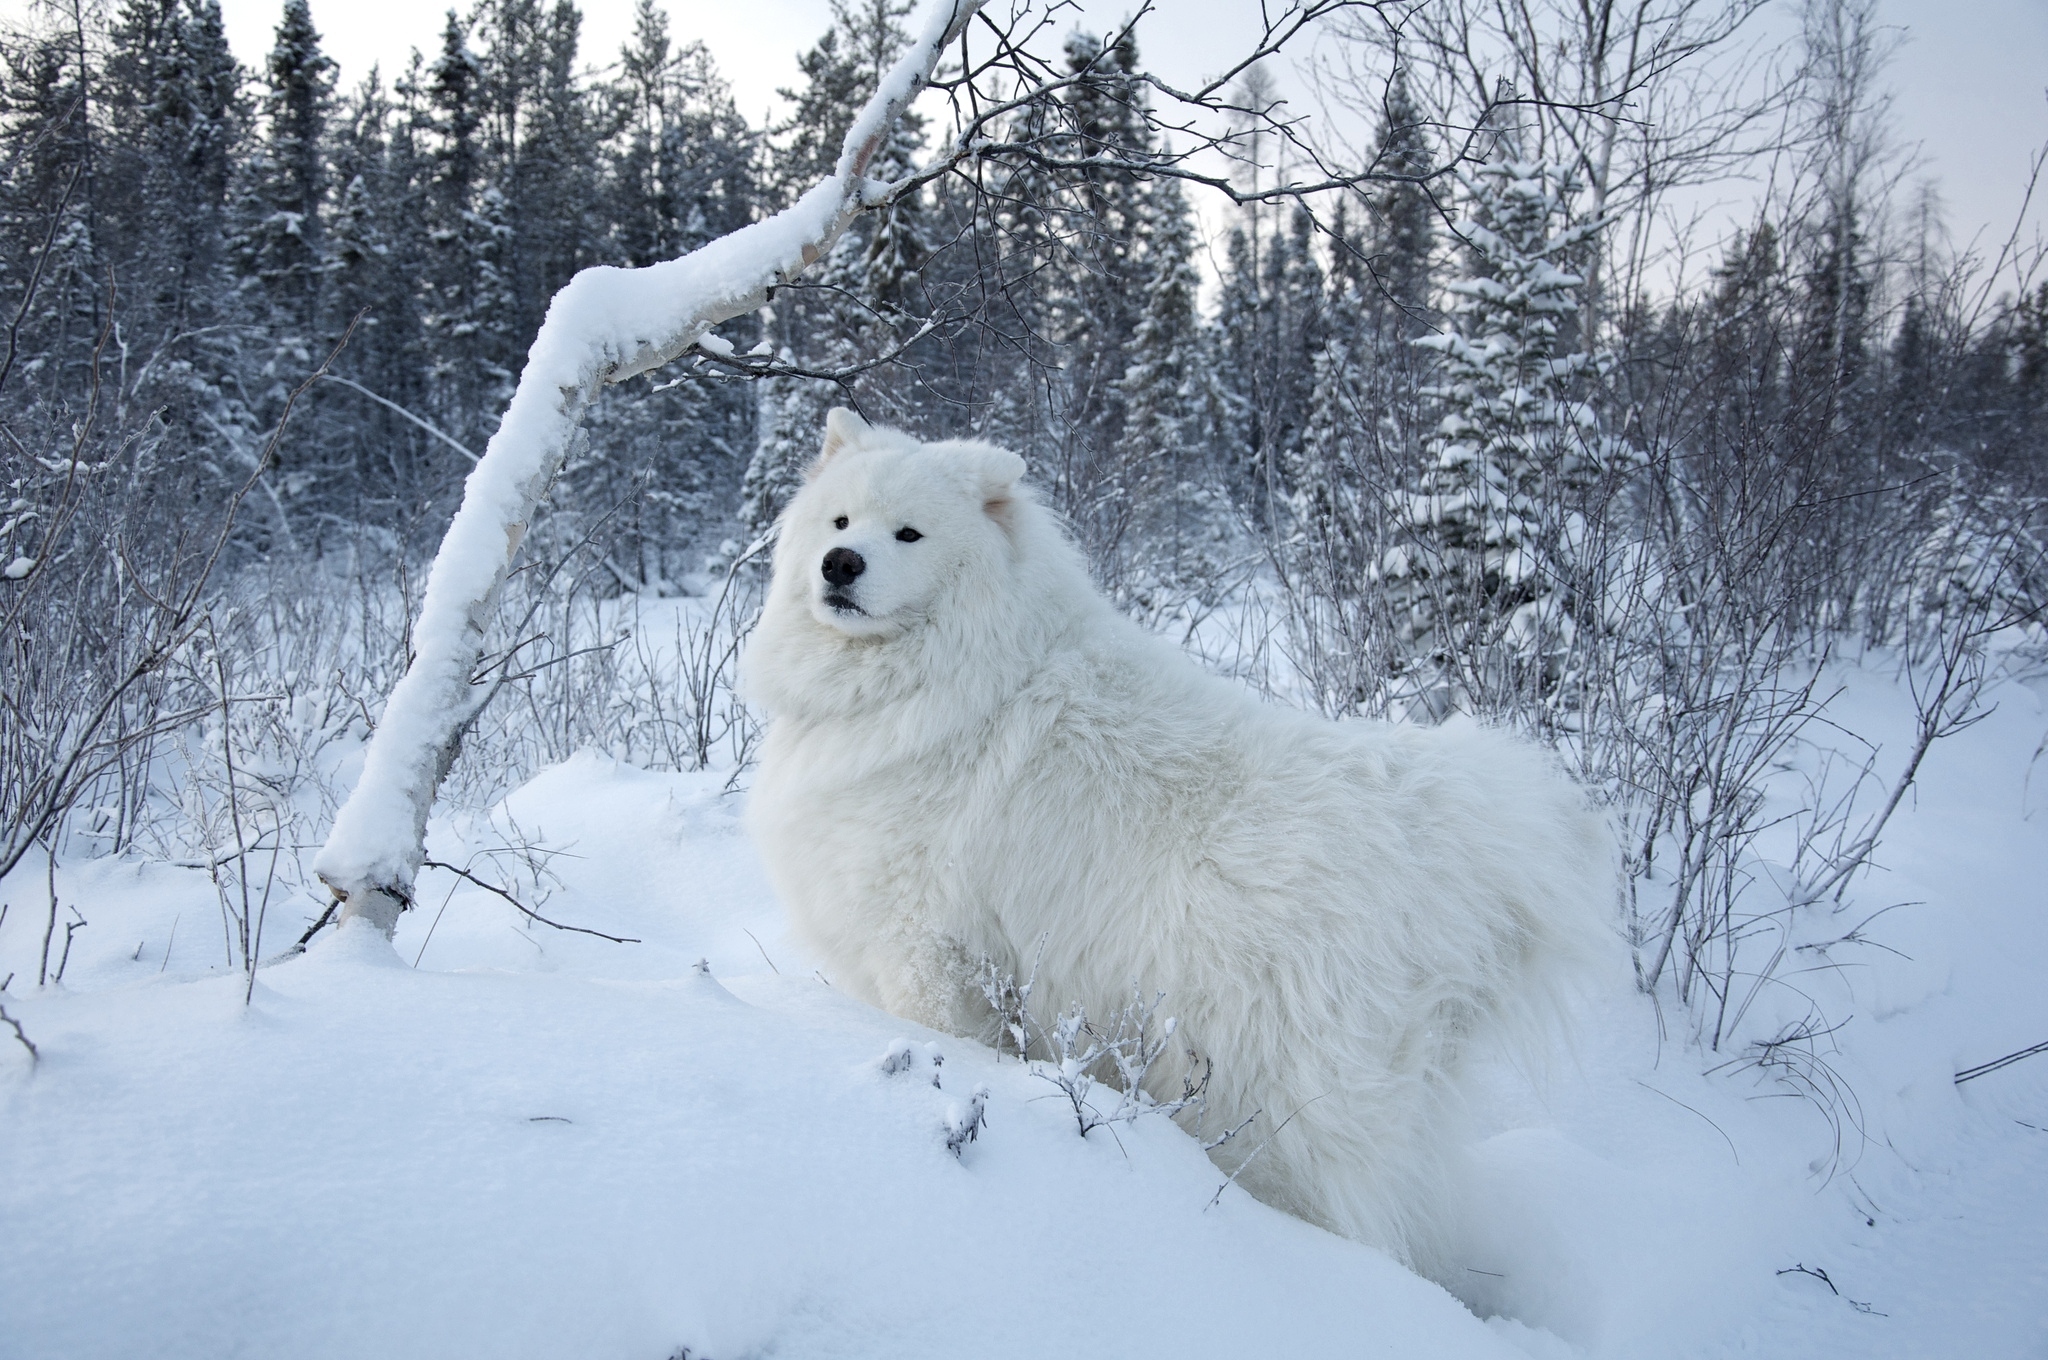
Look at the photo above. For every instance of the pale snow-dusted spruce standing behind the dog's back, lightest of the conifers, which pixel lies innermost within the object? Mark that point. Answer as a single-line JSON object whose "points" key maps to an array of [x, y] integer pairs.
{"points": [[1480, 566]]}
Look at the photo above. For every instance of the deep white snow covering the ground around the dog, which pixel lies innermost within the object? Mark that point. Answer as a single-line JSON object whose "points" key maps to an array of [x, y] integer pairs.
{"points": [[503, 1140]]}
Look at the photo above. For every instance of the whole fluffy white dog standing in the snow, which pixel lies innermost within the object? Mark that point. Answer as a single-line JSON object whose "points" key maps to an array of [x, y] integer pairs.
{"points": [[972, 755]]}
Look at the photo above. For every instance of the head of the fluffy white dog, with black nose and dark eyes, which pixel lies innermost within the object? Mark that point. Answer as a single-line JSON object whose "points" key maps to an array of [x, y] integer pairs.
{"points": [[886, 525]]}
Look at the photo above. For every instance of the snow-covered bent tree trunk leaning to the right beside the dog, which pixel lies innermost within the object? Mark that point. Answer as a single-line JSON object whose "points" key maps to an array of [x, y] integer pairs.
{"points": [[605, 327]]}
